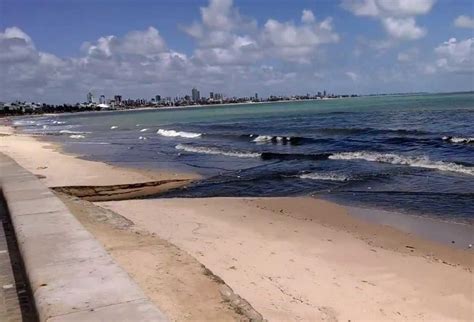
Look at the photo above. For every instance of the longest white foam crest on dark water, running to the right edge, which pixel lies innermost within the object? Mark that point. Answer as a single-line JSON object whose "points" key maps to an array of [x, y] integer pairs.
{"points": [[421, 162]]}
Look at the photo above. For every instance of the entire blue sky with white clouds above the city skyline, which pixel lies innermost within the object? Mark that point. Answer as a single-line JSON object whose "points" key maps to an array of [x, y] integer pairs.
{"points": [[58, 50]]}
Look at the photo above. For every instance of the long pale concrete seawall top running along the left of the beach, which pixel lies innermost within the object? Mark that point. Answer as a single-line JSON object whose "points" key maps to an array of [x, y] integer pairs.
{"points": [[72, 277]]}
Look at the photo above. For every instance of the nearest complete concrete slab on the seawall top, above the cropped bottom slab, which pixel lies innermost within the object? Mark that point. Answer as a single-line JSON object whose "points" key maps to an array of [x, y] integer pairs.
{"points": [[68, 288]]}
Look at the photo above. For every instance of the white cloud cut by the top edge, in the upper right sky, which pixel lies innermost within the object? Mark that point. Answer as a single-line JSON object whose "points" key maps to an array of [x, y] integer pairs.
{"points": [[396, 16]]}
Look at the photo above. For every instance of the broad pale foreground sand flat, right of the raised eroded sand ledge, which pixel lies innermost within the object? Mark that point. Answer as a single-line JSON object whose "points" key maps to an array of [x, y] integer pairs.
{"points": [[291, 263]]}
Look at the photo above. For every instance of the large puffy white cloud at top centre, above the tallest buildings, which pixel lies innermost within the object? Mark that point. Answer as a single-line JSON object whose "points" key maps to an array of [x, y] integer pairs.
{"points": [[225, 37]]}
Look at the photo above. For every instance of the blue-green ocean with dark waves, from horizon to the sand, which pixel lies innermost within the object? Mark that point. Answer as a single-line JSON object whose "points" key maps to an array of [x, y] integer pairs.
{"points": [[411, 154]]}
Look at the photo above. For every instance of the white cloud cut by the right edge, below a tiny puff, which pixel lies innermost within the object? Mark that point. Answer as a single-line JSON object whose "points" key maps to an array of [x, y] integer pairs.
{"points": [[456, 56]]}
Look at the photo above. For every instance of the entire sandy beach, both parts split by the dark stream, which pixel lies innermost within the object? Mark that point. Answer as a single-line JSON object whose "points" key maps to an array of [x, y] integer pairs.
{"points": [[291, 258]]}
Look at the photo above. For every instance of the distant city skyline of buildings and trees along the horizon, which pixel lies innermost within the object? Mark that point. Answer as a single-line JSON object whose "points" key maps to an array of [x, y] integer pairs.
{"points": [[117, 102]]}
